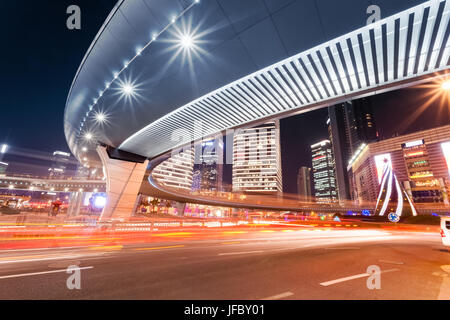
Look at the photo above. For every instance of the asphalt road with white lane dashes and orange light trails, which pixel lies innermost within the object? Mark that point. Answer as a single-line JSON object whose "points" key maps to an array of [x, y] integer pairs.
{"points": [[263, 264]]}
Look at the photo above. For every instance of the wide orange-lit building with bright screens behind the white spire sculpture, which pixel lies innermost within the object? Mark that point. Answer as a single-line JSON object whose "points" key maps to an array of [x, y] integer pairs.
{"points": [[420, 161]]}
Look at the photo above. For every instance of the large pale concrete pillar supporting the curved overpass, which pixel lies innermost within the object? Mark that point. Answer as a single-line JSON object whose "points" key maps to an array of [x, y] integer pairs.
{"points": [[123, 181]]}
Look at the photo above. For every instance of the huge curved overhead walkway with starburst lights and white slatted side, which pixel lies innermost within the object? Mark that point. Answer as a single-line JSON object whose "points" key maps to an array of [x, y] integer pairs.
{"points": [[163, 73]]}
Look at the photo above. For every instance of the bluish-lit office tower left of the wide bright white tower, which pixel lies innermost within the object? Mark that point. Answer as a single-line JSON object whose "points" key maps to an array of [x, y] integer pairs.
{"points": [[208, 165]]}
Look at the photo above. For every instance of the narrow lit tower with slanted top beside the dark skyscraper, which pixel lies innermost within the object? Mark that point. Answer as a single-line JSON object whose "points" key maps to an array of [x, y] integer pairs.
{"points": [[323, 172]]}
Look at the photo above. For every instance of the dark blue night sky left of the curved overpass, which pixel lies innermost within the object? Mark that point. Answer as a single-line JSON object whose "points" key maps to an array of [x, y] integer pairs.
{"points": [[40, 58]]}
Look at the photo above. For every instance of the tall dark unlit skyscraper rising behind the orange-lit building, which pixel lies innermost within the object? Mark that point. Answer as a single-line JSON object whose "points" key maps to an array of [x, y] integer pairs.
{"points": [[350, 125]]}
